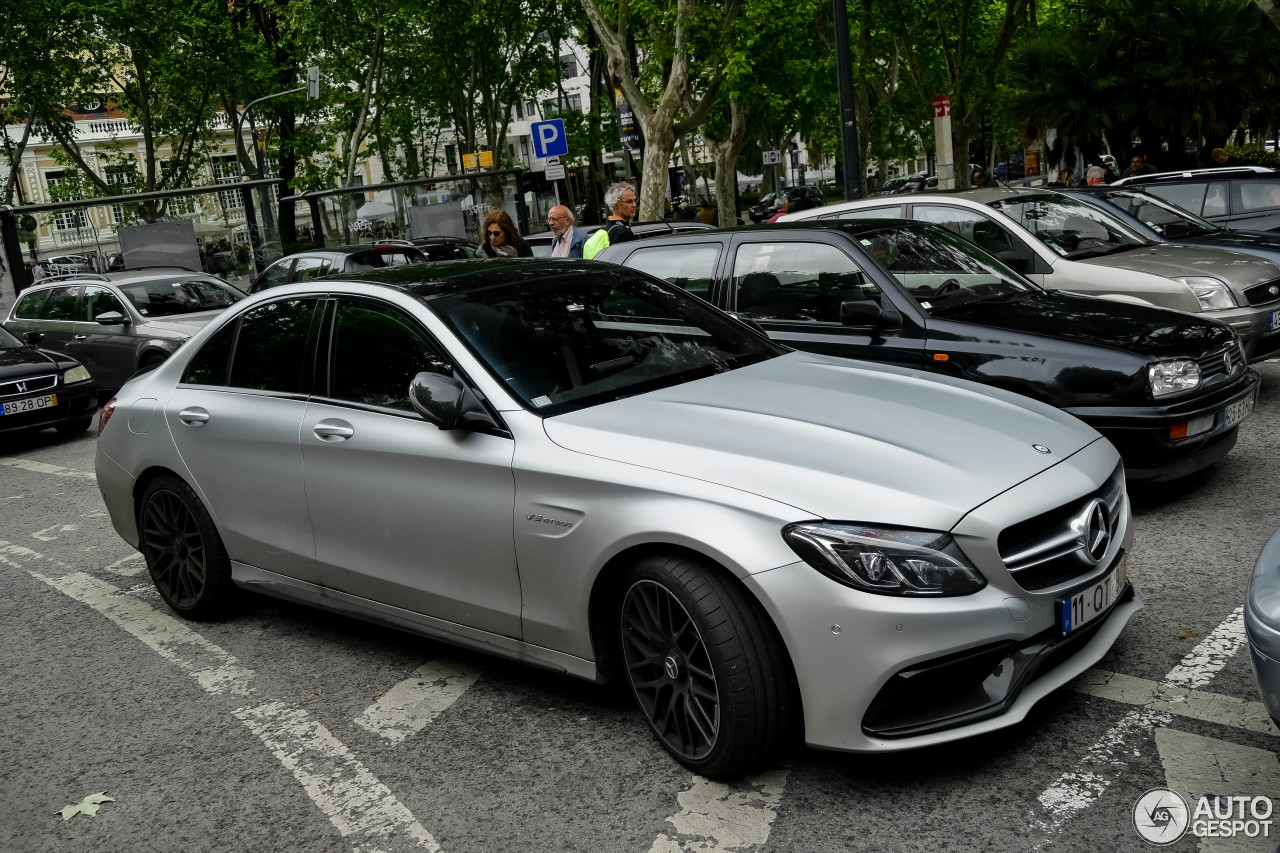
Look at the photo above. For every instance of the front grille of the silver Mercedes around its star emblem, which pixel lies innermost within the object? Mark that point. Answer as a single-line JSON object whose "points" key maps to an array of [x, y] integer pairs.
{"points": [[1043, 553]]}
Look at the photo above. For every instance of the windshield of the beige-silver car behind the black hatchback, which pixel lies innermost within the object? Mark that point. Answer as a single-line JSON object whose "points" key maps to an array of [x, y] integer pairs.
{"points": [[1071, 229]]}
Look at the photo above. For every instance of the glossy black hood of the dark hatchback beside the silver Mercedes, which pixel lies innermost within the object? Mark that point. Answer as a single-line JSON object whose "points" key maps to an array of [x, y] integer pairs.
{"points": [[1144, 331]]}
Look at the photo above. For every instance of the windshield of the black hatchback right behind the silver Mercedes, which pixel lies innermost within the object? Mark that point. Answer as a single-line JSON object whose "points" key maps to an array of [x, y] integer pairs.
{"points": [[941, 270]]}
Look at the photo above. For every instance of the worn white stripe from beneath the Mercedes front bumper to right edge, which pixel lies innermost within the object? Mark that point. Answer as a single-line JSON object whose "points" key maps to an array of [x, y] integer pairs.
{"points": [[1197, 705]]}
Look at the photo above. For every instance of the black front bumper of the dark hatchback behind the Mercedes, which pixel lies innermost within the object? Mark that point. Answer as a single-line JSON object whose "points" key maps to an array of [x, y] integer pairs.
{"points": [[1144, 439]]}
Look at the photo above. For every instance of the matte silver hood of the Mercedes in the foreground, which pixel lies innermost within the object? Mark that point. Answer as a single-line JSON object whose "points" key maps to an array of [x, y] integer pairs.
{"points": [[835, 439]]}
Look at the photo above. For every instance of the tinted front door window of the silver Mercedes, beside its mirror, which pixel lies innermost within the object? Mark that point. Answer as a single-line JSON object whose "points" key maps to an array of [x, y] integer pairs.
{"points": [[377, 352]]}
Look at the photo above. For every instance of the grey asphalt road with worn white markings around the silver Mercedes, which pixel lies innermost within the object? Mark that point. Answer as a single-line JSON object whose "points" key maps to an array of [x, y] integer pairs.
{"points": [[287, 729]]}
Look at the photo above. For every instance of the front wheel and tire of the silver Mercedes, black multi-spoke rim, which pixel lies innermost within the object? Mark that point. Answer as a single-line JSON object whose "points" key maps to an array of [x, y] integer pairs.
{"points": [[706, 667]]}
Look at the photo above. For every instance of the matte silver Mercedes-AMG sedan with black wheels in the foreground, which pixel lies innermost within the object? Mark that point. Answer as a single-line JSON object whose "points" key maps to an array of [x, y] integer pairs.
{"points": [[587, 469]]}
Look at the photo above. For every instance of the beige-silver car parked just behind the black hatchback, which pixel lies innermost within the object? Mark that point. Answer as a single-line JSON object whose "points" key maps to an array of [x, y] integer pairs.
{"points": [[1066, 244]]}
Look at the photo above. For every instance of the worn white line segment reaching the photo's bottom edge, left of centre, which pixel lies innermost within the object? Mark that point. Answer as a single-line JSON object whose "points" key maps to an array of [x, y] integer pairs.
{"points": [[353, 797]]}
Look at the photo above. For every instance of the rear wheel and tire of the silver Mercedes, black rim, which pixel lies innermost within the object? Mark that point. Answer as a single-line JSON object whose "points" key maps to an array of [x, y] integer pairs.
{"points": [[185, 555]]}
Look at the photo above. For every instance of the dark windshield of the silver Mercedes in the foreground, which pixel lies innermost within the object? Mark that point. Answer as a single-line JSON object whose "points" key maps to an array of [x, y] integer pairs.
{"points": [[583, 341]]}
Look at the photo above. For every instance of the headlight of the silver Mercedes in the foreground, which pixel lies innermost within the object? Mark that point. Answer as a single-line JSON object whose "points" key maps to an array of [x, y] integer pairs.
{"points": [[889, 562]]}
